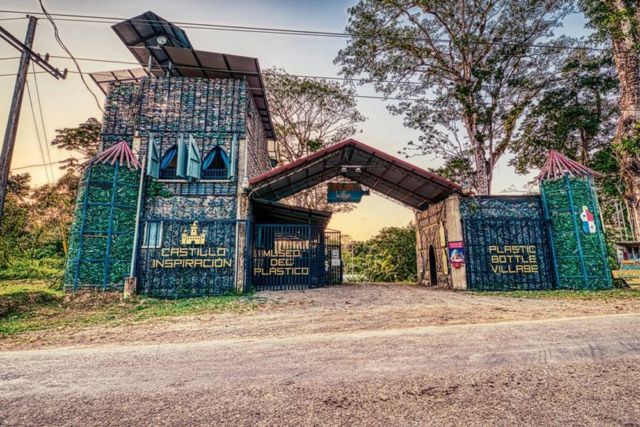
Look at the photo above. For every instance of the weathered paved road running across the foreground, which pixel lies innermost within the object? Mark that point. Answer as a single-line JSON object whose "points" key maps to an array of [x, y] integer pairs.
{"points": [[580, 370]]}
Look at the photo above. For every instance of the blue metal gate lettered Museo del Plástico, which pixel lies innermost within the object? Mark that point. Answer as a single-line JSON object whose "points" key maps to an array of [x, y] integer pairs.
{"points": [[297, 256]]}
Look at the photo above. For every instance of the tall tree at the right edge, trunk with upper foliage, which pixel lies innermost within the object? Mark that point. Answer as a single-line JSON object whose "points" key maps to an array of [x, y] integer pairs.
{"points": [[618, 22]]}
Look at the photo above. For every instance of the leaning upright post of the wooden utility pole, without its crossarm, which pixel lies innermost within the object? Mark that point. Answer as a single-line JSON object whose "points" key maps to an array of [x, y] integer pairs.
{"points": [[14, 113]]}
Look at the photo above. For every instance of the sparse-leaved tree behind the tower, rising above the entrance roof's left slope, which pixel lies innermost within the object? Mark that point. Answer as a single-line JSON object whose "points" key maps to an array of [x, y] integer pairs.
{"points": [[309, 115]]}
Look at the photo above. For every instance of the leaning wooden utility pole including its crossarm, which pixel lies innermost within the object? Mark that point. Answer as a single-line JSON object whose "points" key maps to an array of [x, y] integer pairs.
{"points": [[26, 57]]}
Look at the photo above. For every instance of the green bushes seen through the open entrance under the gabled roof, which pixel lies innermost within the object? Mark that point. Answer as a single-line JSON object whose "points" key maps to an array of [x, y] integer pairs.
{"points": [[390, 256]]}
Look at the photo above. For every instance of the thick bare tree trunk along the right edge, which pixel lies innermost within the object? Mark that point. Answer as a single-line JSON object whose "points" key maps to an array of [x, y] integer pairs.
{"points": [[627, 66]]}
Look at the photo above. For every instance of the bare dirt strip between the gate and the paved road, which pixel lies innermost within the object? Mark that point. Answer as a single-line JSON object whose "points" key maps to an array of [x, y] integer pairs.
{"points": [[329, 310]]}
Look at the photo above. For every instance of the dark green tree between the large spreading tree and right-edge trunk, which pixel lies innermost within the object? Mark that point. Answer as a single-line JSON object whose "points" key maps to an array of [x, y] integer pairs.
{"points": [[575, 115]]}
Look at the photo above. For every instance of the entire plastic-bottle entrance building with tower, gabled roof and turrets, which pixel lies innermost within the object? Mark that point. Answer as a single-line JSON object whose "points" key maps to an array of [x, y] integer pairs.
{"points": [[204, 215]]}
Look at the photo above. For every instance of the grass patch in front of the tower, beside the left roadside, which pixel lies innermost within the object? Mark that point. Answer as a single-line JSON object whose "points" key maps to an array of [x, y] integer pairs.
{"points": [[35, 306]]}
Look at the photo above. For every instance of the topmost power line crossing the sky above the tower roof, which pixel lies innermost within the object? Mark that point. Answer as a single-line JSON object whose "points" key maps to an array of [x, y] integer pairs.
{"points": [[271, 30]]}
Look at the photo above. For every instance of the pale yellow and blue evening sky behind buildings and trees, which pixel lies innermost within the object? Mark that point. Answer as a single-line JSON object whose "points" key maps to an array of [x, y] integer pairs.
{"points": [[68, 103]]}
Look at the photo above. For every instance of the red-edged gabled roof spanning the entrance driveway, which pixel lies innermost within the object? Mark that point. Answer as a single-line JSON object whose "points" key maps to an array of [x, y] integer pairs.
{"points": [[383, 173]]}
